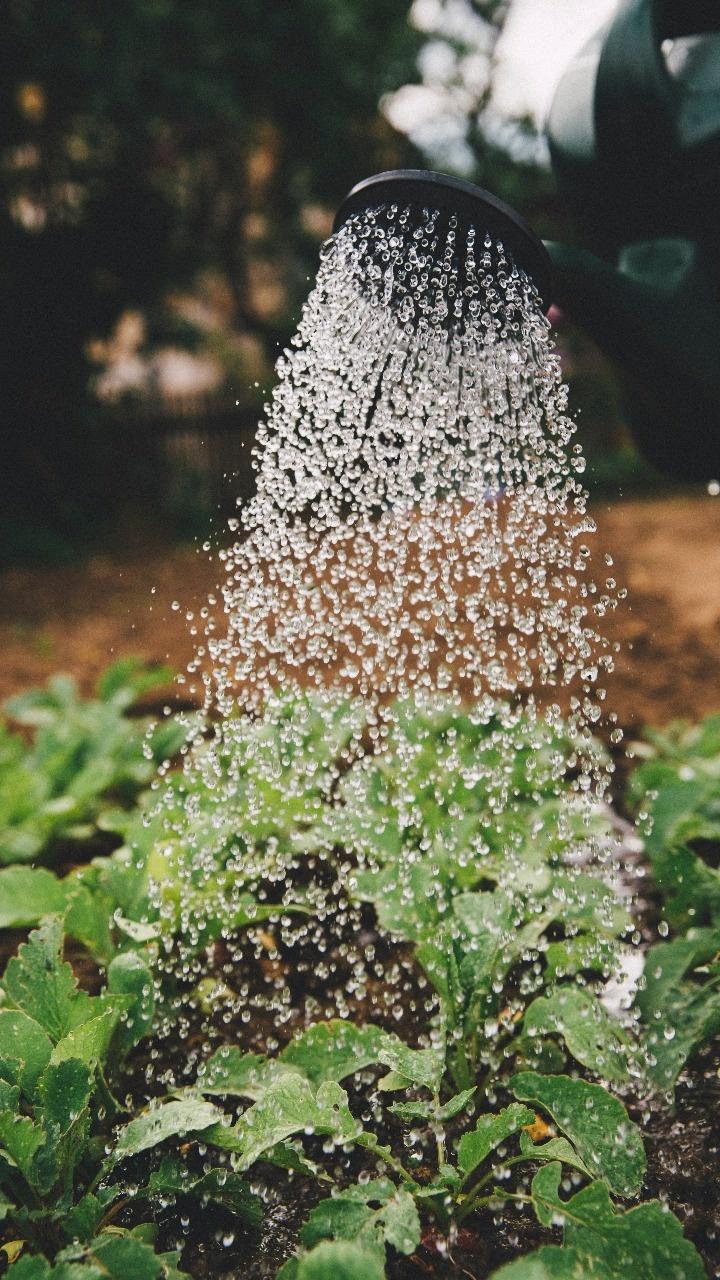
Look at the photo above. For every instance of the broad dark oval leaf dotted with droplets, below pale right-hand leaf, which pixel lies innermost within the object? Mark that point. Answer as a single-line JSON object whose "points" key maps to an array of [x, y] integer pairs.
{"points": [[595, 1122]]}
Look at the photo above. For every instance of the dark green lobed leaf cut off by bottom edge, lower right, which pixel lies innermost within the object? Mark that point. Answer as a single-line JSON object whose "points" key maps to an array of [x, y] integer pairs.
{"points": [[642, 1244]]}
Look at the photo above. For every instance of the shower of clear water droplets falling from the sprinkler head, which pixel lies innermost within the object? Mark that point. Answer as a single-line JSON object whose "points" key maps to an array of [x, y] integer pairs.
{"points": [[420, 533]]}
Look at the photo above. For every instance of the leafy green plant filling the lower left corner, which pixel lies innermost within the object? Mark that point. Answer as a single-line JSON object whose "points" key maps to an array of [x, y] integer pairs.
{"points": [[61, 1180]]}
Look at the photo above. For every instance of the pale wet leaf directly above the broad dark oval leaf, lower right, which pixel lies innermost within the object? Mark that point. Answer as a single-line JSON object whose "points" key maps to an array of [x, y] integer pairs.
{"points": [[593, 1037]]}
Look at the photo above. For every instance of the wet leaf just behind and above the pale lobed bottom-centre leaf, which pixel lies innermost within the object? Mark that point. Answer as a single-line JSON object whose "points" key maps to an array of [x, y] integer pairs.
{"points": [[332, 1050]]}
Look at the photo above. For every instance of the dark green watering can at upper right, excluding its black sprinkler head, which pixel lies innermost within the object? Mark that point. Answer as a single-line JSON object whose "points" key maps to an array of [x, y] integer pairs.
{"points": [[635, 138]]}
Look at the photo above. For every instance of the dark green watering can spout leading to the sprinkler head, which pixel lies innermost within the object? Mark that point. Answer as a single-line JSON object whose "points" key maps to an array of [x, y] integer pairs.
{"points": [[657, 316]]}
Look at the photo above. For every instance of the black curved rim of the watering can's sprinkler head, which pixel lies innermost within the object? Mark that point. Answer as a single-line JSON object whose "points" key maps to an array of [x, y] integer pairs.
{"points": [[425, 191]]}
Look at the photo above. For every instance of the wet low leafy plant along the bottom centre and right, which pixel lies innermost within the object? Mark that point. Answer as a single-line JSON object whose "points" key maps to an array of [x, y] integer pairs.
{"points": [[300, 1094]]}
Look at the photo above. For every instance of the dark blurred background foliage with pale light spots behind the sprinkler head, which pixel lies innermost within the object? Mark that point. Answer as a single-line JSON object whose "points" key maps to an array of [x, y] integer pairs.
{"points": [[168, 173]]}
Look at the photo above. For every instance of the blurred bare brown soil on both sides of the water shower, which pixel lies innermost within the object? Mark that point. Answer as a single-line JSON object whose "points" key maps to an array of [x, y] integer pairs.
{"points": [[667, 551]]}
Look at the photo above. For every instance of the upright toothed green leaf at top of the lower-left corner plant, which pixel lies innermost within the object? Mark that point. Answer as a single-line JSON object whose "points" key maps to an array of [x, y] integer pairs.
{"points": [[43, 985]]}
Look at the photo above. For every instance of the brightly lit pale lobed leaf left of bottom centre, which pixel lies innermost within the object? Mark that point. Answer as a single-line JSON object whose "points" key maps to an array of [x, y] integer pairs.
{"points": [[289, 1107]]}
